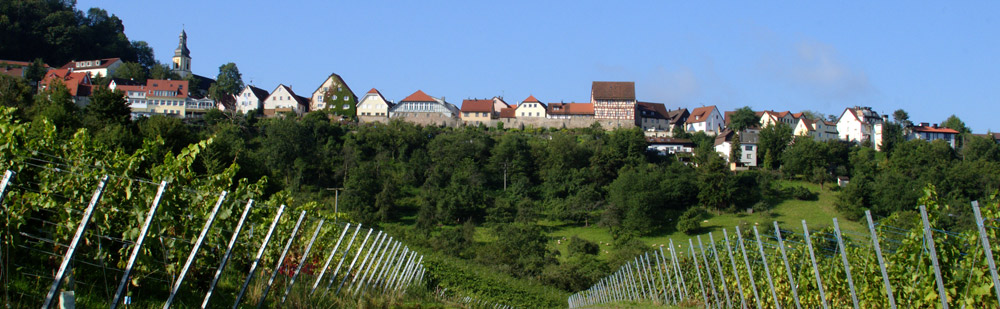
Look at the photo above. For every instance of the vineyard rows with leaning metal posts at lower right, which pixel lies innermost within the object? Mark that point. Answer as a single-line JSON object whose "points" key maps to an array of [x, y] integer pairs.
{"points": [[917, 266]]}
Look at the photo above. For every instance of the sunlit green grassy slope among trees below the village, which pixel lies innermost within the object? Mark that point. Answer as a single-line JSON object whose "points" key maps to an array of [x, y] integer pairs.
{"points": [[789, 214]]}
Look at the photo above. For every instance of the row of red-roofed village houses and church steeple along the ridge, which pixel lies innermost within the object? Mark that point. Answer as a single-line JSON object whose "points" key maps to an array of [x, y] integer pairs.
{"points": [[612, 105]]}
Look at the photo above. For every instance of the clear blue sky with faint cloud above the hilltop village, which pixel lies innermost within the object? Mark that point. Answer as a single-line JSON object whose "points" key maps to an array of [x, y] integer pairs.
{"points": [[931, 59]]}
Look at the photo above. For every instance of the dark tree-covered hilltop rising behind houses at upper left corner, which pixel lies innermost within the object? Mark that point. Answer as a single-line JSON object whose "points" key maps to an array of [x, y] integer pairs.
{"points": [[57, 32]]}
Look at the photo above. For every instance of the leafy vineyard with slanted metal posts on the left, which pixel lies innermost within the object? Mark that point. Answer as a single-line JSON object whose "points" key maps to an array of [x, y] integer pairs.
{"points": [[81, 226]]}
